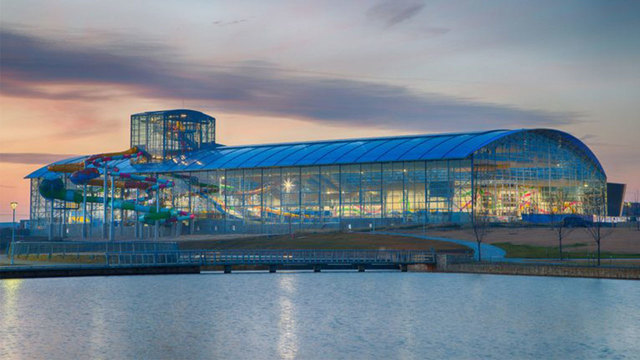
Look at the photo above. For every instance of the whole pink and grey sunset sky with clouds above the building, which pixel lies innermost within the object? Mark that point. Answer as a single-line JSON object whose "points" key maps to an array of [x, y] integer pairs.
{"points": [[72, 72]]}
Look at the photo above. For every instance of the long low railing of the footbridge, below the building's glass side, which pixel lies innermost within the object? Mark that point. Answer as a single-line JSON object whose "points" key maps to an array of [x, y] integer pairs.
{"points": [[272, 257]]}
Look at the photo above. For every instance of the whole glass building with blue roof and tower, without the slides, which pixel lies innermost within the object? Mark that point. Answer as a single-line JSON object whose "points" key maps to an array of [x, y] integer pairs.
{"points": [[506, 175]]}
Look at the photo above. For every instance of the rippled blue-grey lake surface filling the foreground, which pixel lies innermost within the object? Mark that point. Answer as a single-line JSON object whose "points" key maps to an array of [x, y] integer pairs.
{"points": [[330, 315]]}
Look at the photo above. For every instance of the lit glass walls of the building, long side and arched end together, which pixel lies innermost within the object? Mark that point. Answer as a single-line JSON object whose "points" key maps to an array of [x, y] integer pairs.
{"points": [[516, 175]]}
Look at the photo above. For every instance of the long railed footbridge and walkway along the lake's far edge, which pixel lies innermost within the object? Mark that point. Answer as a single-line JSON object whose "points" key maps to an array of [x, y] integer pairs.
{"points": [[113, 254]]}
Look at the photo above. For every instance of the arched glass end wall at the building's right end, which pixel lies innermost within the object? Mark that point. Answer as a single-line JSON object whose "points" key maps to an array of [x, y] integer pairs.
{"points": [[536, 173]]}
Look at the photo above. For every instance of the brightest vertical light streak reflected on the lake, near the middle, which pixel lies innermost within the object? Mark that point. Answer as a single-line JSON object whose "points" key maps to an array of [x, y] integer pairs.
{"points": [[287, 338]]}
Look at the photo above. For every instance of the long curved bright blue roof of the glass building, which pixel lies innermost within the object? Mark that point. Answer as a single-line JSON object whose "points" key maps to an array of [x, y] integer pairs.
{"points": [[333, 152]]}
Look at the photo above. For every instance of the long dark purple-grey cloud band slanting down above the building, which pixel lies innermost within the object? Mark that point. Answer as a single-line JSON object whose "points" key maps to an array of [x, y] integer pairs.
{"points": [[30, 64]]}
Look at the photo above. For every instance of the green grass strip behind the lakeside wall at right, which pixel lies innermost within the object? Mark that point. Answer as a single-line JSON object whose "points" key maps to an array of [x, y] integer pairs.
{"points": [[546, 252]]}
